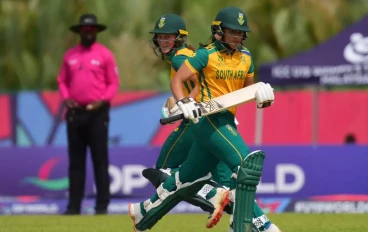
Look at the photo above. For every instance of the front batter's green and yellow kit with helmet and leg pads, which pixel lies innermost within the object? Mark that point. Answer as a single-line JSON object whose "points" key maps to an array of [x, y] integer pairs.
{"points": [[217, 143]]}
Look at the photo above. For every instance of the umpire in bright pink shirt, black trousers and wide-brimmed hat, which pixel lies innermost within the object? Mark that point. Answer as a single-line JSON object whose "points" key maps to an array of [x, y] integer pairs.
{"points": [[88, 80]]}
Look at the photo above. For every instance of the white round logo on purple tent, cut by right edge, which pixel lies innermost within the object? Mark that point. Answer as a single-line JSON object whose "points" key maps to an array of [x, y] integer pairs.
{"points": [[356, 51]]}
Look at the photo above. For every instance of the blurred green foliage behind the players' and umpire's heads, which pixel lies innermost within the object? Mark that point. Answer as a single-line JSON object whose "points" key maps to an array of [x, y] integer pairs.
{"points": [[34, 34]]}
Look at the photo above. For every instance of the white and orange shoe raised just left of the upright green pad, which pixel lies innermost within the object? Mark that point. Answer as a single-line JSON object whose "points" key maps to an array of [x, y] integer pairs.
{"points": [[219, 202]]}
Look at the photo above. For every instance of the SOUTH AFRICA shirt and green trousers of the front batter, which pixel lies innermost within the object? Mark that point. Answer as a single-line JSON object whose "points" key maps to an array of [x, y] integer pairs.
{"points": [[216, 136]]}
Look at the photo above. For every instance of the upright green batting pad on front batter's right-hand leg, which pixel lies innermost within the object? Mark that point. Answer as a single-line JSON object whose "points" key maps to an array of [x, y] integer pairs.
{"points": [[248, 177]]}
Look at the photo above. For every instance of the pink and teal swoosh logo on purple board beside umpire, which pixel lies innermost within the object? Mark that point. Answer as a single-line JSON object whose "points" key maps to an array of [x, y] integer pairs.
{"points": [[43, 180]]}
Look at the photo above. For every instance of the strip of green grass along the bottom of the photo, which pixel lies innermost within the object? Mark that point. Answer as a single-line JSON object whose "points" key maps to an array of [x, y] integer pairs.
{"points": [[179, 223]]}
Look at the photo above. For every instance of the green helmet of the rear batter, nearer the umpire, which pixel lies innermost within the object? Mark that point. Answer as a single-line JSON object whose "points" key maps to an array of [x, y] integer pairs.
{"points": [[170, 24]]}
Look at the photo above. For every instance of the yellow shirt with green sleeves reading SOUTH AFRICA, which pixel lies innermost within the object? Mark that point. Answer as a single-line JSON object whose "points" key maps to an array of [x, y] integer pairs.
{"points": [[220, 72]]}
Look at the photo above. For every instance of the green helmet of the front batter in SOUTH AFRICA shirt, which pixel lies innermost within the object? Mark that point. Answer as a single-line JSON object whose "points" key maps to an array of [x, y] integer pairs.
{"points": [[233, 18]]}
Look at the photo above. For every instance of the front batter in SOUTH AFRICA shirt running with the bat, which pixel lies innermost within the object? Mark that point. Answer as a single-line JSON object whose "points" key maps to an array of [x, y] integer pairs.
{"points": [[222, 67]]}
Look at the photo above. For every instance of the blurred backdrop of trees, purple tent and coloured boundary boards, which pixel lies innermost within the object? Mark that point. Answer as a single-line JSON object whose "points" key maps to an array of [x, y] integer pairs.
{"points": [[314, 53]]}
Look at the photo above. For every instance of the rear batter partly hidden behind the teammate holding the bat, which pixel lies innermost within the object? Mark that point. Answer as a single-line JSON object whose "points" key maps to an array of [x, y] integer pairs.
{"points": [[169, 42]]}
